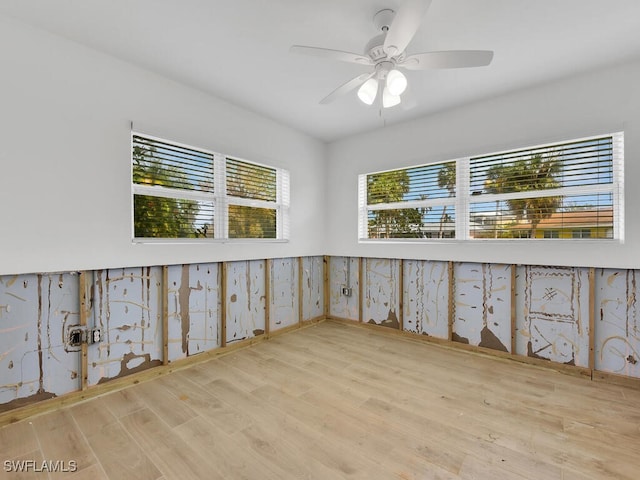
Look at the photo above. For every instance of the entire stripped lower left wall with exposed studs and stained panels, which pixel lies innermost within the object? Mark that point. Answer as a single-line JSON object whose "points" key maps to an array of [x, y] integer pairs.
{"points": [[138, 311]]}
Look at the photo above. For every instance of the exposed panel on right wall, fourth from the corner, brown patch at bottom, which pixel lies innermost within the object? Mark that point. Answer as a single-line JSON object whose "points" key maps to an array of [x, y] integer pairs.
{"points": [[482, 301]]}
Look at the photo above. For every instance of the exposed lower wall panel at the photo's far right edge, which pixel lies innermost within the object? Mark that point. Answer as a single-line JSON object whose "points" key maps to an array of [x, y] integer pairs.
{"points": [[617, 322]]}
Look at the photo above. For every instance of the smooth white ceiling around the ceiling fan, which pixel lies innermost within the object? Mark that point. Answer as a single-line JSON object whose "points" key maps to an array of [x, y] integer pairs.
{"points": [[238, 49]]}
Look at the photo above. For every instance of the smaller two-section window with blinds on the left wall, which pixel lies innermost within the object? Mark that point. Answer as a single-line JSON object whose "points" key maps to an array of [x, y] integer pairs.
{"points": [[181, 192]]}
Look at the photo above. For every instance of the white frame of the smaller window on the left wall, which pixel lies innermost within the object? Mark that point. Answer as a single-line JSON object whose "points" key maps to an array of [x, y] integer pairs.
{"points": [[220, 199]]}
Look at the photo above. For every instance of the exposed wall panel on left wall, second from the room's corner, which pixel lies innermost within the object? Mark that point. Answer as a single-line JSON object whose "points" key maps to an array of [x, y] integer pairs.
{"points": [[283, 294]]}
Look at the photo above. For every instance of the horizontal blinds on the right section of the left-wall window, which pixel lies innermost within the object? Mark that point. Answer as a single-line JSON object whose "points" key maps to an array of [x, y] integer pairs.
{"points": [[252, 194]]}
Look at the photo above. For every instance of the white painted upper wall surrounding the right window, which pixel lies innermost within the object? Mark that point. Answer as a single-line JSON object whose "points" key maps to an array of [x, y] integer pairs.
{"points": [[600, 102]]}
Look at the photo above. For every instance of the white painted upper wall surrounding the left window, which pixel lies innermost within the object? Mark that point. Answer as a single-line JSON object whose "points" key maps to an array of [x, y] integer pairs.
{"points": [[65, 195]]}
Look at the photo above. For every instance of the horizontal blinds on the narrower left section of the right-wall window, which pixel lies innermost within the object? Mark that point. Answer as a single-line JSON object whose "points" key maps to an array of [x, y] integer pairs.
{"points": [[416, 202]]}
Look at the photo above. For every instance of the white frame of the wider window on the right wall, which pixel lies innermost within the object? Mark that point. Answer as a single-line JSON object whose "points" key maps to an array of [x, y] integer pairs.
{"points": [[463, 200]]}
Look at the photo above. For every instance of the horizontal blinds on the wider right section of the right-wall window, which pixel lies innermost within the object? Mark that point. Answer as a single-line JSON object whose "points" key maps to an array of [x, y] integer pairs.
{"points": [[555, 191]]}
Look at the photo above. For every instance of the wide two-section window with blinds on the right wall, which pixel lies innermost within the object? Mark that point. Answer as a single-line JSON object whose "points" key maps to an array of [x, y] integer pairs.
{"points": [[548, 191]]}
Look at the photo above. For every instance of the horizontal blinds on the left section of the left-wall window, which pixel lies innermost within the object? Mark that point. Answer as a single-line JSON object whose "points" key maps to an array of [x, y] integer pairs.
{"points": [[173, 190]]}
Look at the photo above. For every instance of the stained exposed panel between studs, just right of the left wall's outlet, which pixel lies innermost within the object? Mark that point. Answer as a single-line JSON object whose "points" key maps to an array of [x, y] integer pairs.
{"points": [[127, 307]]}
